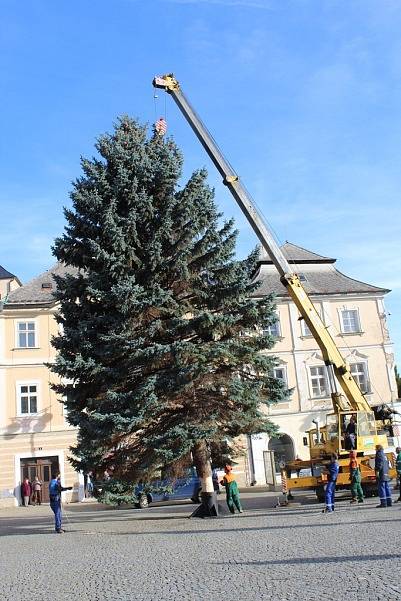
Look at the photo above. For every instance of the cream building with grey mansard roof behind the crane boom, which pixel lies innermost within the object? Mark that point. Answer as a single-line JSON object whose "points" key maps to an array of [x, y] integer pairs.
{"points": [[355, 315]]}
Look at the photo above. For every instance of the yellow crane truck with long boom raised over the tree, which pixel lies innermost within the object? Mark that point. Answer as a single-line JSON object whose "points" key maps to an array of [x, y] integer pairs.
{"points": [[347, 398]]}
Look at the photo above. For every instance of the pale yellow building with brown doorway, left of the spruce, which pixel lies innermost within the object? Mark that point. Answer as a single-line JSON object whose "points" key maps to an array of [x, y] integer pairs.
{"points": [[34, 434]]}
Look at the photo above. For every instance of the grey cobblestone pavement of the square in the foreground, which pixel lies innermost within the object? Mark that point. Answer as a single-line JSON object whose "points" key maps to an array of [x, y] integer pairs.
{"points": [[285, 554]]}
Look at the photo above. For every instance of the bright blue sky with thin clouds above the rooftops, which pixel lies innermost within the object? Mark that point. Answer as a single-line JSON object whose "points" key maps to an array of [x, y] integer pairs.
{"points": [[303, 97]]}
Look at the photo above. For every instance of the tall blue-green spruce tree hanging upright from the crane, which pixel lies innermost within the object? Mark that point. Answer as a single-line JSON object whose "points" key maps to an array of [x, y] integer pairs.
{"points": [[161, 346]]}
